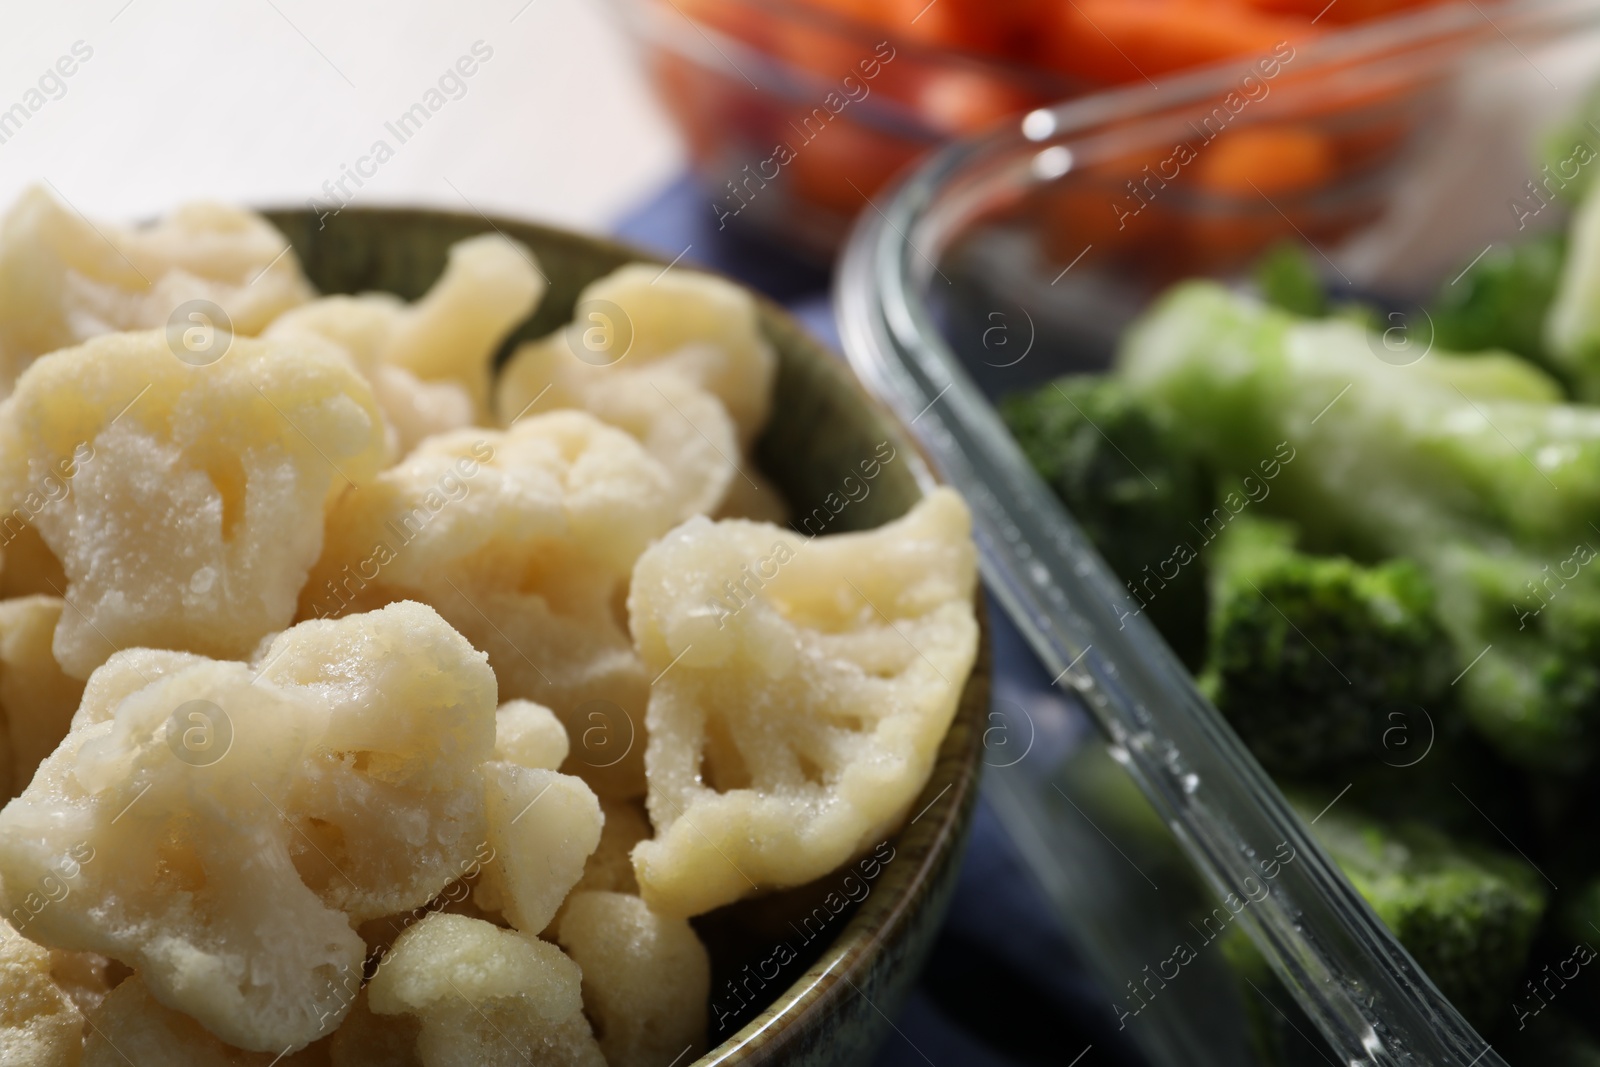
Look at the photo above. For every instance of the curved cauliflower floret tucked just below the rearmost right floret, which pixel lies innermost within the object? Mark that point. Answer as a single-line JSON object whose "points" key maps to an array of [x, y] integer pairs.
{"points": [[681, 425]]}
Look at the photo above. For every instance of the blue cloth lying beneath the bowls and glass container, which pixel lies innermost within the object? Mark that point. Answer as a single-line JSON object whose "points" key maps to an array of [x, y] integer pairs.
{"points": [[1004, 986]]}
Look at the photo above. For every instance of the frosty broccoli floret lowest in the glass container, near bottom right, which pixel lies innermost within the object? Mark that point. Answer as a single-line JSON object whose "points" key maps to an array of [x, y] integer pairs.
{"points": [[1466, 914]]}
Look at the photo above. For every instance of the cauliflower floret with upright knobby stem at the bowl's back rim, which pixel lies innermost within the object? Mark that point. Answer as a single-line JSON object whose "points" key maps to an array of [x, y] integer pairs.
{"points": [[430, 362]]}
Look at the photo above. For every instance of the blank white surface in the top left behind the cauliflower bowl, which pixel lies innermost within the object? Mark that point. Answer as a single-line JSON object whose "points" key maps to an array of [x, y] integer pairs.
{"points": [[260, 102]]}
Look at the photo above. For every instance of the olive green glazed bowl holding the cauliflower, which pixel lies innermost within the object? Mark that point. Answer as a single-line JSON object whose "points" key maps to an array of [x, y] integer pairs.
{"points": [[810, 977]]}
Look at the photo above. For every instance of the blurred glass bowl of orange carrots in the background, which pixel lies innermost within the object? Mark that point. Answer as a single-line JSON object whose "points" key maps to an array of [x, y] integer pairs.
{"points": [[799, 111]]}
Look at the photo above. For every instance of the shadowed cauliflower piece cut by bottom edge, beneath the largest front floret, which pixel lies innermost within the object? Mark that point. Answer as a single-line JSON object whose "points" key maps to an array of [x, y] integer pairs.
{"points": [[134, 1028]]}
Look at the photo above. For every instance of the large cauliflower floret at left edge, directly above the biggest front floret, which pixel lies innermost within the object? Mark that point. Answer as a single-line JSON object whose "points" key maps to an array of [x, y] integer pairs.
{"points": [[196, 494]]}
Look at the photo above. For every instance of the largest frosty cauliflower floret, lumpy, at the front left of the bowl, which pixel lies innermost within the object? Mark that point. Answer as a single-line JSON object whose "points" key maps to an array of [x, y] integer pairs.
{"points": [[220, 826]]}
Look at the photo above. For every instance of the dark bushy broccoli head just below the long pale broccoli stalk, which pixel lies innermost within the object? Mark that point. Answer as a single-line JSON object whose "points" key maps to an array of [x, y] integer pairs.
{"points": [[1310, 655]]}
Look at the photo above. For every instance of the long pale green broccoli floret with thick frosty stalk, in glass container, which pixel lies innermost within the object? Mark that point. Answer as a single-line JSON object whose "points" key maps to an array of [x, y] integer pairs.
{"points": [[1449, 462]]}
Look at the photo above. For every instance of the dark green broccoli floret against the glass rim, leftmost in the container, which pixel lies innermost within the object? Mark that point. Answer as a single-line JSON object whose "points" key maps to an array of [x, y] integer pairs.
{"points": [[1132, 487]]}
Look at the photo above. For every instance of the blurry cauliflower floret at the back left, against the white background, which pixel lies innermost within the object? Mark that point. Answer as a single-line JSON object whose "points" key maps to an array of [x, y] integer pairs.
{"points": [[65, 279]]}
